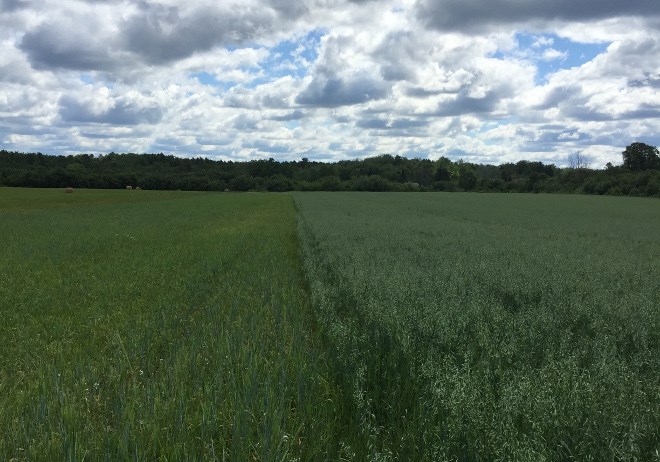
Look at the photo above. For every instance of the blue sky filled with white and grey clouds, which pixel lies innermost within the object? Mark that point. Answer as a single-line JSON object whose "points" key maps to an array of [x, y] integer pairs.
{"points": [[484, 81]]}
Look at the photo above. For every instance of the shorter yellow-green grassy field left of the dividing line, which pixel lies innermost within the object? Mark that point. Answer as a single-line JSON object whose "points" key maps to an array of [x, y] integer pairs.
{"points": [[150, 325]]}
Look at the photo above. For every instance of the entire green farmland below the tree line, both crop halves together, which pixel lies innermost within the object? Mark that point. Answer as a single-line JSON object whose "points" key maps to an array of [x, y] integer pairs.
{"points": [[147, 325]]}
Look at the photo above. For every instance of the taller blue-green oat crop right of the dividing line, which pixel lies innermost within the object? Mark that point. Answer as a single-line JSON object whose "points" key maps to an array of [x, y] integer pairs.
{"points": [[490, 327]]}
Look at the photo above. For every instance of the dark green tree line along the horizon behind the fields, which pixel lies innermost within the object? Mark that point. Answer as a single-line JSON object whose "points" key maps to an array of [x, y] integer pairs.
{"points": [[638, 176]]}
